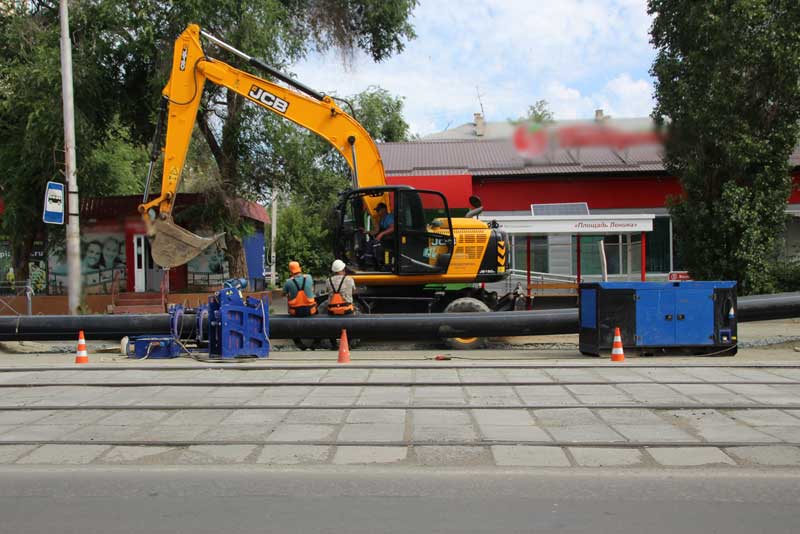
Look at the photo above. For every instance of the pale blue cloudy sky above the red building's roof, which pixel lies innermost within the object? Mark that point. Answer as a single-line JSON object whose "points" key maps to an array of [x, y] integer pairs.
{"points": [[579, 55]]}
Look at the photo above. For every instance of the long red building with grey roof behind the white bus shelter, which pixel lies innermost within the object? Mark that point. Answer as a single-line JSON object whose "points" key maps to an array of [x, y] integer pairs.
{"points": [[480, 159]]}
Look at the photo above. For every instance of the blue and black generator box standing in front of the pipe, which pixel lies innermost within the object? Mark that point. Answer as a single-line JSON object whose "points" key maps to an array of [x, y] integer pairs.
{"points": [[699, 317]]}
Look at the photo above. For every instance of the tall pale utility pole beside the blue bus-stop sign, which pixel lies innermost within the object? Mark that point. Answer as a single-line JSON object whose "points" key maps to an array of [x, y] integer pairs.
{"points": [[73, 204]]}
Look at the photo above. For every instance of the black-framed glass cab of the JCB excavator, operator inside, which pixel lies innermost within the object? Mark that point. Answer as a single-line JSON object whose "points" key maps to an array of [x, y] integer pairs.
{"points": [[421, 242]]}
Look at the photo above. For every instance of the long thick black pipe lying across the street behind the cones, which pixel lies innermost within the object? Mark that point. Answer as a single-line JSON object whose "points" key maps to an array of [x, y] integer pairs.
{"points": [[379, 327]]}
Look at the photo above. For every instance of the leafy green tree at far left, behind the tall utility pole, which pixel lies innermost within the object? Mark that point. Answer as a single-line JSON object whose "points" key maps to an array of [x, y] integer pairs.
{"points": [[31, 118]]}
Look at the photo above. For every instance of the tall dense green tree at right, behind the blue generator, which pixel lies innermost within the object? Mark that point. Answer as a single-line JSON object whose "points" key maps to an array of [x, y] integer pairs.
{"points": [[728, 89]]}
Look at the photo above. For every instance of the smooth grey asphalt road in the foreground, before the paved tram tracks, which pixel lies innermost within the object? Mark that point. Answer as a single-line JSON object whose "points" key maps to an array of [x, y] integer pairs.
{"points": [[198, 500]]}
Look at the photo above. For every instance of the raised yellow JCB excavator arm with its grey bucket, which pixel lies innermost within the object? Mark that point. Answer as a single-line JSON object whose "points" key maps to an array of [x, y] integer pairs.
{"points": [[171, 245]]}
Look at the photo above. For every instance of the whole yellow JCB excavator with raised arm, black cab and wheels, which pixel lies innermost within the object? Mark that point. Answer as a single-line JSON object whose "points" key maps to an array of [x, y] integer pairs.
{"points": [[414, 266]]}
